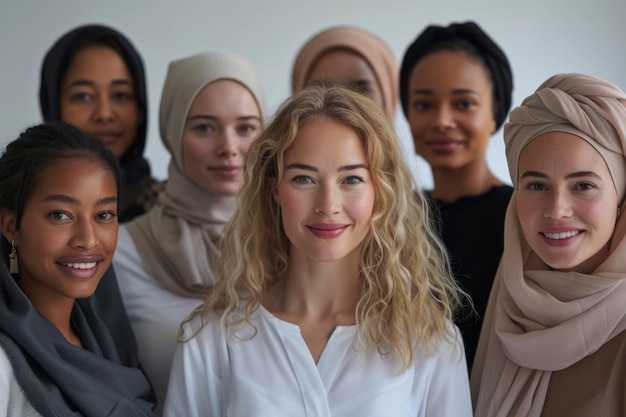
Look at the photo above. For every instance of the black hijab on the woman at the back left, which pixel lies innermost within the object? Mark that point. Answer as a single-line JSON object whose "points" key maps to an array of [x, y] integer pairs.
{"points": [[56, 63]]}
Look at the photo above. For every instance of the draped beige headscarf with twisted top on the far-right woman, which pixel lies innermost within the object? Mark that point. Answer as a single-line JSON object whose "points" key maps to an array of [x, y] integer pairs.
{"points": [[540, 320]]}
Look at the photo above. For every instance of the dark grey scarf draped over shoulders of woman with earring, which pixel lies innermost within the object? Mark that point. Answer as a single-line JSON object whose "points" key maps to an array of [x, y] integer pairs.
{"points": [[60, 379]]}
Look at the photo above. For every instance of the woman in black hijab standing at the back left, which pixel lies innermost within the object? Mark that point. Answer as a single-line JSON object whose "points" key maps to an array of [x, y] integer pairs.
{"points": [[93, 77]]}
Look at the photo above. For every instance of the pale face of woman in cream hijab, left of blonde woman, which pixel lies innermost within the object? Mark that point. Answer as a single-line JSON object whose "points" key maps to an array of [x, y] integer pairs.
{"points": [[223, 121]]}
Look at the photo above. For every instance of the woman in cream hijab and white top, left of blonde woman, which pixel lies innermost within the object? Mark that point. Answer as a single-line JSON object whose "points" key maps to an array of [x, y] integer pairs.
{"points": [[211, 110]]}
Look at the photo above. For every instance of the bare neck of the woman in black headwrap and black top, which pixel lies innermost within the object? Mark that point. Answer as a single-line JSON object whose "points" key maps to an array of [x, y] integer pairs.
{"points": [[471, 180]]}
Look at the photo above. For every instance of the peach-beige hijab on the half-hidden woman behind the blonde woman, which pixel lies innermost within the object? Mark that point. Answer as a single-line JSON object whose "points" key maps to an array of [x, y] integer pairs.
{"points": [[373, 49]]}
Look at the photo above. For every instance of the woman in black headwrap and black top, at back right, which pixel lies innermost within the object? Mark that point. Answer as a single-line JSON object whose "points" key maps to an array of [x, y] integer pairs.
{"points": [[455, 90]]}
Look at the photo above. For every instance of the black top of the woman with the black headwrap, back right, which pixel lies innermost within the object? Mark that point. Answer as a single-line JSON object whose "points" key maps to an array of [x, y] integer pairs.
{"points": [[472, 228]]}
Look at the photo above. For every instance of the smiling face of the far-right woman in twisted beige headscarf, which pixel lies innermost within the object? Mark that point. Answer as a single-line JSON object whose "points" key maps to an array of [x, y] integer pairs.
{"points": [[566, 202]]}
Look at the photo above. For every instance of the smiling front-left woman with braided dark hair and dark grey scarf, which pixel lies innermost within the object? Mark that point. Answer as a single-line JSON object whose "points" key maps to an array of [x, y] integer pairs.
{"points": [[58, 213]]}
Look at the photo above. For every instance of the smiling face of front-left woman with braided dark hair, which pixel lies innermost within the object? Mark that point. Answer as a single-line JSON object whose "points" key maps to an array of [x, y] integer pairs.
{"points": [[68, 231]]}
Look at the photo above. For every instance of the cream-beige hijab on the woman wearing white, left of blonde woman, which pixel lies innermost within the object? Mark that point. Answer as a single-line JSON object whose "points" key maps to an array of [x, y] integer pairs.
{"points": [[178, 238]]}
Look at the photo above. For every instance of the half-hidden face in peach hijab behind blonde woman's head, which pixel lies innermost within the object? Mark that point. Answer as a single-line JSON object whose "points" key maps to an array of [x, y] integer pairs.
{"points": [[343, 66]]}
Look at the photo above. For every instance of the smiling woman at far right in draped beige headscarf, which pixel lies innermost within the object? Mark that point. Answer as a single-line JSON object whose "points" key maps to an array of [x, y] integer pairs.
{"points": [[553, 342]]}
